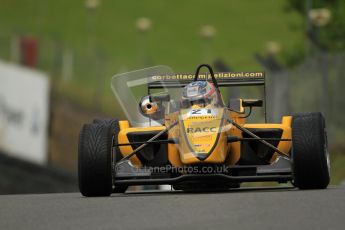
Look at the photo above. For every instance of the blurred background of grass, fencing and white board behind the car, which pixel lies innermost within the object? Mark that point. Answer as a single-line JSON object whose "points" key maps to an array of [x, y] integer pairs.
{"points": [[57, 59]]}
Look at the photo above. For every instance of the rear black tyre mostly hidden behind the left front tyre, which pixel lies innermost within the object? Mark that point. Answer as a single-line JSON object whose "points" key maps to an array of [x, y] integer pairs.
{"points": [[114, 128]]}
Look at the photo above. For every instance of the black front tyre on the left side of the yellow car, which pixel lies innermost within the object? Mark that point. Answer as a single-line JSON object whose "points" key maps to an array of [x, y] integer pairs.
{"points": [[94, 160]]}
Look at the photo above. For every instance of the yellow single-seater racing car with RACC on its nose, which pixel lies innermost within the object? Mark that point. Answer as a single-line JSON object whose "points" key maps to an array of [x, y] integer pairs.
{"points": [[179, 131]]}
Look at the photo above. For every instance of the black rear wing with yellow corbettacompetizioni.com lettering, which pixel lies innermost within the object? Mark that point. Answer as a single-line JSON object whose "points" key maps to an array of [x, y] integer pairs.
{"points": [[223, 79]]}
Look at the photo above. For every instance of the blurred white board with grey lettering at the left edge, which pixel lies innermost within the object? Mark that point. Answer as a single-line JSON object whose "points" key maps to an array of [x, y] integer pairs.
{"points": [[24, 113]]}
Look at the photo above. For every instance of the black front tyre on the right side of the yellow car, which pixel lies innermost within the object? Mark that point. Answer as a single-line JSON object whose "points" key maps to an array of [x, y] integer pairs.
{"points": [[310, 157]]}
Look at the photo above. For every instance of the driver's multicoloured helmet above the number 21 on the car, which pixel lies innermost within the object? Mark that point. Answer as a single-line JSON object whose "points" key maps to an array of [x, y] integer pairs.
{"points": [[200, 93]]}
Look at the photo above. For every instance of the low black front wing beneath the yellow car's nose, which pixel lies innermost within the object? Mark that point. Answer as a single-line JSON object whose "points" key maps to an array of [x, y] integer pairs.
{"points": [[127, 174]]}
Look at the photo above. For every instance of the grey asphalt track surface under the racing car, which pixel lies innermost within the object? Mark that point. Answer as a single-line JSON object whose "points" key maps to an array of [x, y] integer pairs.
{"points": [[269, 208]]}
